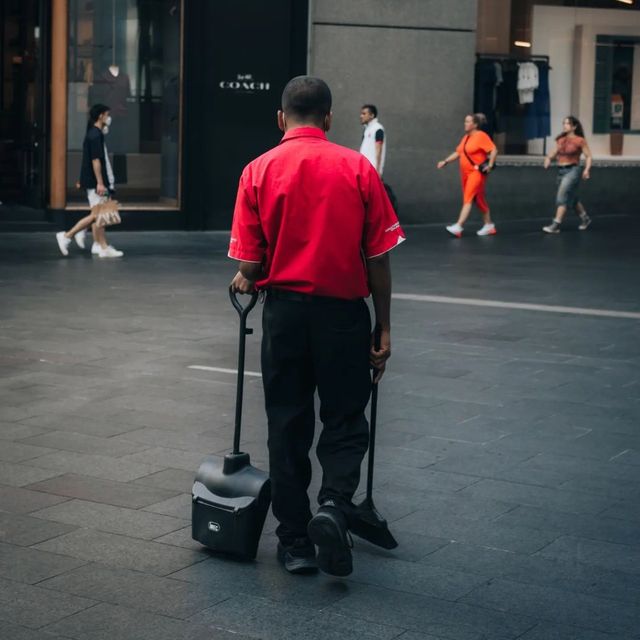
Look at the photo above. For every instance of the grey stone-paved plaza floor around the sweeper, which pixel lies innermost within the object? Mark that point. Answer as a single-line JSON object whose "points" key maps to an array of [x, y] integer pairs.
{"points": [[509, 445]]}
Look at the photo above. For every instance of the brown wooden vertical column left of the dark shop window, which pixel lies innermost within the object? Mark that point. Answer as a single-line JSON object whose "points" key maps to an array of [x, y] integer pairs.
{"points": [[58, 164]]}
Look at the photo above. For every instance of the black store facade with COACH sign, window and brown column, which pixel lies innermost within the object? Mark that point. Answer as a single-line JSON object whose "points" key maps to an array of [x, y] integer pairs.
{"points": [[193, 87]]}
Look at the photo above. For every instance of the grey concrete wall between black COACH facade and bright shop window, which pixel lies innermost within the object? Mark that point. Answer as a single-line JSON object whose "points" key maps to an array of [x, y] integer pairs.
{"points": [[413, 59]]}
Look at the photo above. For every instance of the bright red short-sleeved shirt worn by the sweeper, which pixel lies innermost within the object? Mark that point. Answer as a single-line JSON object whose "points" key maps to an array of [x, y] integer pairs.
{"points": [[311, 211]]}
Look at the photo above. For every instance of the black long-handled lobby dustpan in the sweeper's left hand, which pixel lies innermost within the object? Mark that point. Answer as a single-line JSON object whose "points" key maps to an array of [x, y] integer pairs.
{"points": [[230, 497]]}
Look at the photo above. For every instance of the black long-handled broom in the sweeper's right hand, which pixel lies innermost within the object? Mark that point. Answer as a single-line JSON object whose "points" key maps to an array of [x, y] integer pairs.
{"points": [[366, 521]]}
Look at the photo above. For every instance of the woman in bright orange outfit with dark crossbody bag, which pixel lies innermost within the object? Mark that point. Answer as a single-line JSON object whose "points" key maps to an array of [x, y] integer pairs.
{"points": [[477, 155]]}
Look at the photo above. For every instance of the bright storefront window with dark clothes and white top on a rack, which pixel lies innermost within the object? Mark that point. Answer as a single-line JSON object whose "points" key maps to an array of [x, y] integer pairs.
{"points": [[541, 60]]}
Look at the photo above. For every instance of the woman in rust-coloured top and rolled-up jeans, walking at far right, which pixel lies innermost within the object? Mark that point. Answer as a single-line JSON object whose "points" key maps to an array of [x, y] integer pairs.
{"points": [[570, 145]]}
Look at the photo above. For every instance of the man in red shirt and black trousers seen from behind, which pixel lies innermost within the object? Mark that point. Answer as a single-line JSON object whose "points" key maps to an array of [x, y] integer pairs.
{"points": [[312, 227]]}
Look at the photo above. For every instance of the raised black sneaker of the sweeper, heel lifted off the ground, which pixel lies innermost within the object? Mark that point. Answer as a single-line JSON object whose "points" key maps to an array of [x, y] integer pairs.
{"points": [[328, 530]]}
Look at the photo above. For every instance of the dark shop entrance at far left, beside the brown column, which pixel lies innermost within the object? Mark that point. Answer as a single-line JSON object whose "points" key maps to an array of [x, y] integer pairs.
{"points": [[23, 35]]}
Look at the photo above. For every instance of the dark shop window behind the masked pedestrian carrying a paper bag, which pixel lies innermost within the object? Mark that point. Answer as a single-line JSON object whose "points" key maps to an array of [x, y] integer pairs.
{"points": [[126, 54]]}
